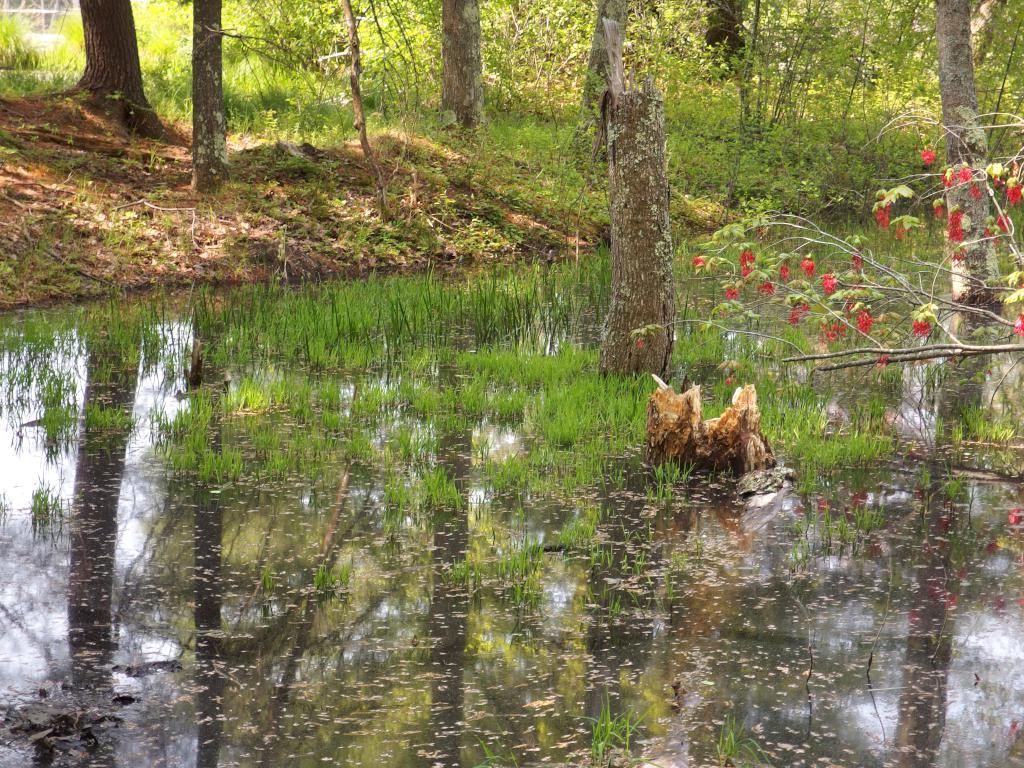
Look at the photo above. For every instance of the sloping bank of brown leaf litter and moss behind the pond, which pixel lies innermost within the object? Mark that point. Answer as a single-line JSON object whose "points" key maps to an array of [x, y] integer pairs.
{"points": [[87, 210]]}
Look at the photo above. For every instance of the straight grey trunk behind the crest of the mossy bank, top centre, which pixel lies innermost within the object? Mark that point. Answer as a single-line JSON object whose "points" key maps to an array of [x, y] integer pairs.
{"points": [[462, 77]]}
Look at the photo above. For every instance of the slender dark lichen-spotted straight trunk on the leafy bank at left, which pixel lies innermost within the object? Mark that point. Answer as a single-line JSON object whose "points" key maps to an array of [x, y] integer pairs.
{"points": [[209, 123]]}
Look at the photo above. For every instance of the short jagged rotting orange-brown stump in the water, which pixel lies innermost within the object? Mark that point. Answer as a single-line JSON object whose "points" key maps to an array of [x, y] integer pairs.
{"points": [[734, 442]]}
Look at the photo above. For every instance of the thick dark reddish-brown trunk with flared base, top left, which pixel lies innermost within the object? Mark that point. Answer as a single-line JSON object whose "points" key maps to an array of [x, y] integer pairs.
{"points": [[112, 67]]}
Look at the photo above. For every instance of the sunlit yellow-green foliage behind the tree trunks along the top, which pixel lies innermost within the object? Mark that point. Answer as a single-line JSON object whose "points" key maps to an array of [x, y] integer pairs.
{"points": [[823, 82]]}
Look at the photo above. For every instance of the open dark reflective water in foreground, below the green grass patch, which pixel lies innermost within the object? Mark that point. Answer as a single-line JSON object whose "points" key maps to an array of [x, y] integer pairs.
{"points": [[905, 648]]}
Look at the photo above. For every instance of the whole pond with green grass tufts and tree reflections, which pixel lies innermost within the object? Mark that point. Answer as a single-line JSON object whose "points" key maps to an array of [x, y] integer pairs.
{"points": [[405, 523]]}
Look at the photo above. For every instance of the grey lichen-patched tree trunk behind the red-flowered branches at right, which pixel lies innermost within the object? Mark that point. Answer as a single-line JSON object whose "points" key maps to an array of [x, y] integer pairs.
{"points": [[974, 260]]}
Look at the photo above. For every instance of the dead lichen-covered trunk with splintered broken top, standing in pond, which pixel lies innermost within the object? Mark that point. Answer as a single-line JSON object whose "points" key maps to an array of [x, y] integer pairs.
{"points": [[638, 333]]}
